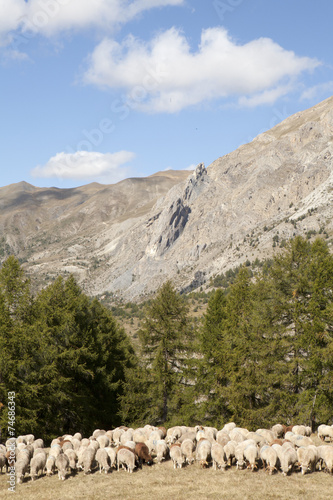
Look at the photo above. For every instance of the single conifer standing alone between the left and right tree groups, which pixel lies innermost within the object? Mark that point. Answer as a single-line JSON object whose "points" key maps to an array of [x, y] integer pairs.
{"points": [[166, 356]]}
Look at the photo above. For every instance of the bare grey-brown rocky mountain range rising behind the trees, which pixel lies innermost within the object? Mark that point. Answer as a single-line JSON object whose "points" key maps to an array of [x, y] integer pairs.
{"points": [[130, 237]]}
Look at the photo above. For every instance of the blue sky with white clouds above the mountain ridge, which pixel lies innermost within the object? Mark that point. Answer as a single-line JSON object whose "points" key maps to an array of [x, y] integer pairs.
{"points": [[101, 90]]}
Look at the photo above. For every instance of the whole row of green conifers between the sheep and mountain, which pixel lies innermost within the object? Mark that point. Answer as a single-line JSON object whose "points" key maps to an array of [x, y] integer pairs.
{"points": [[262, 353]]}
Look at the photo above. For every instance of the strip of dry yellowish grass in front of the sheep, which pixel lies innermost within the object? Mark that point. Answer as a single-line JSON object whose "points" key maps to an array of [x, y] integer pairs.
{"points": [[162, 482]]}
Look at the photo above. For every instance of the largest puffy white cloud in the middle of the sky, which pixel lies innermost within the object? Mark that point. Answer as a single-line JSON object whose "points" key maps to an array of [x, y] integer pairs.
{"points": [[166, 75]]}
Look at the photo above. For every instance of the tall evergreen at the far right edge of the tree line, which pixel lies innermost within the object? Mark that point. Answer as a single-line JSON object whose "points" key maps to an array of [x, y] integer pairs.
{"points": [[303, 281]]}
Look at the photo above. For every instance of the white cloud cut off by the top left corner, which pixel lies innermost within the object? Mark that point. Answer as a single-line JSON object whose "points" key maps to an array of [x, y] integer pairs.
{"points": [[49, 17]]}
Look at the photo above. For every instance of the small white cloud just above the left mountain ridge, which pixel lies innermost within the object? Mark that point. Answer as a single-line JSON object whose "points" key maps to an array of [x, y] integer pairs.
{"points": [[86, 165]]}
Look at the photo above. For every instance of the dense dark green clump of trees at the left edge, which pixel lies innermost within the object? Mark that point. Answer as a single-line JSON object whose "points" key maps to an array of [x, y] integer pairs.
{"points": [[65, 360]]}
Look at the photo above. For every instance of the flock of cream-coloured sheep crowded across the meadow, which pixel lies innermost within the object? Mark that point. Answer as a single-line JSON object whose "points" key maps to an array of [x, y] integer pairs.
{"points": [[280, 448]]}
